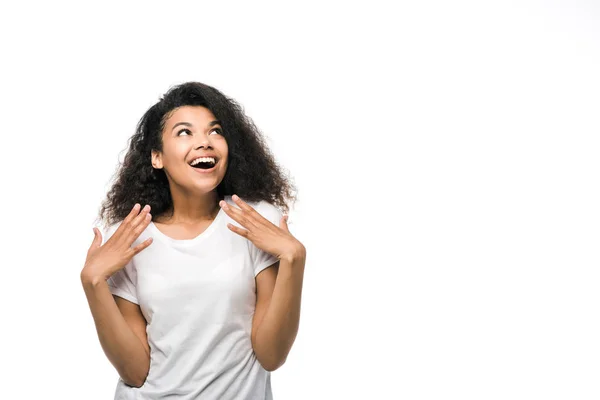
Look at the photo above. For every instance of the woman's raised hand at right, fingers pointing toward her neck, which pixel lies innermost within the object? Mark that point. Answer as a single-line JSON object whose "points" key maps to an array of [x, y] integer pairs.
{"points": [[277, 241]]}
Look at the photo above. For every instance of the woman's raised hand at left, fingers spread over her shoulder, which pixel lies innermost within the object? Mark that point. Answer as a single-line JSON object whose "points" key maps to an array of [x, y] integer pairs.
{"points": [[104, 260]]}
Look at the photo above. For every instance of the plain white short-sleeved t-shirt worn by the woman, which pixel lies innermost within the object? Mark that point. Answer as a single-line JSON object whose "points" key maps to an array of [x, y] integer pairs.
{"points": [[198, 297]]}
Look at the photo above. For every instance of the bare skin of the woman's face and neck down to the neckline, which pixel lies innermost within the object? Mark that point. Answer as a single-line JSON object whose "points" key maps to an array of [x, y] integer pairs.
{"points": [[195, 199]]}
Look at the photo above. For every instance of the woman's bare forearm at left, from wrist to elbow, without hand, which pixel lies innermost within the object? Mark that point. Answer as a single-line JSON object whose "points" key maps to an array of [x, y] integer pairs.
{"points": [[121, 346]]}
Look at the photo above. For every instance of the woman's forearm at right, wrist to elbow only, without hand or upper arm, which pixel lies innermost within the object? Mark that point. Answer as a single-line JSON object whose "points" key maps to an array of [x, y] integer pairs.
{"points": [[279, 327]]}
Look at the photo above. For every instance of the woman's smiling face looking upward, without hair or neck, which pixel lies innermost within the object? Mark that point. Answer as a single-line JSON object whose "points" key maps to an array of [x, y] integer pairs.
{"points": [[189, 133]]}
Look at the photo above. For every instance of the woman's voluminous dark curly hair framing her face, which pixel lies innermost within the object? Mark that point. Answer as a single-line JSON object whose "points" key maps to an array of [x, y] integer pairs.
{"points": [[252, 172]]}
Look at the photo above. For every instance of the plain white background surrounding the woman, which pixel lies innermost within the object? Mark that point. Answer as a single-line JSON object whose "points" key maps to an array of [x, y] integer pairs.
{"points": [[446, 156]]}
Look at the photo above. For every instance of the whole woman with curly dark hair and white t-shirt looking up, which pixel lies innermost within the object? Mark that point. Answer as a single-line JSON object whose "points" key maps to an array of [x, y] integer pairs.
{"points": [[195, 286]]}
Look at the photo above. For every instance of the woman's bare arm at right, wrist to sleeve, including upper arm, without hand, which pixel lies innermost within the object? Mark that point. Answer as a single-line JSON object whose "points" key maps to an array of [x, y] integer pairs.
{"points": [[277, 315]]}
